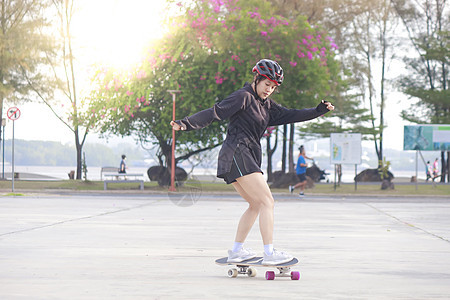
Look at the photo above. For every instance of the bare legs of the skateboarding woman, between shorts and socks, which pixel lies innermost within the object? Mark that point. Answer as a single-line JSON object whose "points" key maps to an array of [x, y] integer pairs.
{"points": [[254, 189]]}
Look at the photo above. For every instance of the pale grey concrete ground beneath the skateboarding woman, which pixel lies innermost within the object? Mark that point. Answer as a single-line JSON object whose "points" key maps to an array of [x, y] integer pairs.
{"points": [[149, 246]]}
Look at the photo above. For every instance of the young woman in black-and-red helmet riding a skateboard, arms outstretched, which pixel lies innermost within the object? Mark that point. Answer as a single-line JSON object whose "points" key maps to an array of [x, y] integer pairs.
{"points": [[250, 111]]}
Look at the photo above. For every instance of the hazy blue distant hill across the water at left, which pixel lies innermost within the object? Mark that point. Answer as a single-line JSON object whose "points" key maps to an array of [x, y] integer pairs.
{"points": [[47, 153]]}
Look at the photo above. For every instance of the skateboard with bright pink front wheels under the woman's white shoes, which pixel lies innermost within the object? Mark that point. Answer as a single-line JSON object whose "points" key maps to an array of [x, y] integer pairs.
{"points": [[247, 267]]}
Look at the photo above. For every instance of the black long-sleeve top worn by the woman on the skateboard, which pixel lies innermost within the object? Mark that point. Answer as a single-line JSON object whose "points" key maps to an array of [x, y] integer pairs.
{"points": [[249, 118]]}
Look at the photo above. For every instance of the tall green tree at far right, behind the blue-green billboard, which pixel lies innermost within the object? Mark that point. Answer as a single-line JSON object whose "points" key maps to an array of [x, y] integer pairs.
{"points": [[428, 27]]}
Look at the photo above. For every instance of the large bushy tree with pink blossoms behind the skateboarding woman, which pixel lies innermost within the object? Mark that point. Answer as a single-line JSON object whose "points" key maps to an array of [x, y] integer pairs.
{"points": [[211, 48]]}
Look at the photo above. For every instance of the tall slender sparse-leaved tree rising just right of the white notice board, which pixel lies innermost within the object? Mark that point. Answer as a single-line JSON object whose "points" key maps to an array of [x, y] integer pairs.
{"points": [[370, 44]]}
